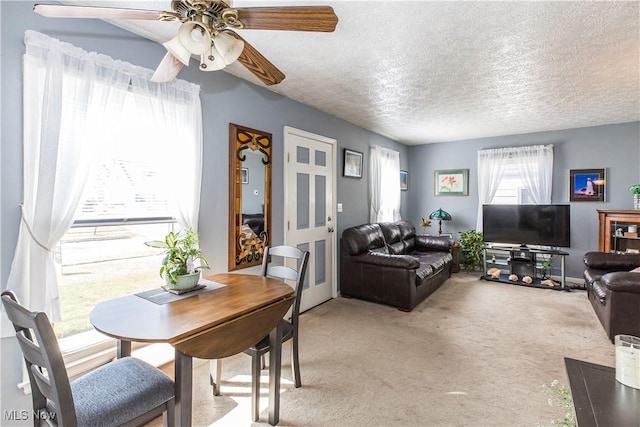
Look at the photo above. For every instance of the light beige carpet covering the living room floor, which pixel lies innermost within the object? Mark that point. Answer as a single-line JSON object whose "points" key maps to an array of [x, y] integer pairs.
{"points": [[475, 353]]}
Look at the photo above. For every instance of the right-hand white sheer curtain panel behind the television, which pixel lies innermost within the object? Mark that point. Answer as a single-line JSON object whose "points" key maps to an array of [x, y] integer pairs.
{"points": [[535, 165]]}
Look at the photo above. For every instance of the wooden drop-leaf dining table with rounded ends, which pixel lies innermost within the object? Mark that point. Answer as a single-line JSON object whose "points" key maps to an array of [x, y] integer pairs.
{"points": [[233, 313]]}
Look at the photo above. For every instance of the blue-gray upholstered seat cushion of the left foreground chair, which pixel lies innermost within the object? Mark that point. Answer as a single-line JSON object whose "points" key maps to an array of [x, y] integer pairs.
{"points": [[119, 392]]}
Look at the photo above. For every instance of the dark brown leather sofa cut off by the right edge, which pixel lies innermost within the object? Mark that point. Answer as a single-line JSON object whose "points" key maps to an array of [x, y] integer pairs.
{"points": [[614, 291]]}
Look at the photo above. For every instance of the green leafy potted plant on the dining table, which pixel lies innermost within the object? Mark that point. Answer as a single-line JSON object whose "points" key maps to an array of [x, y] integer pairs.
{"points": [[181, 255]]}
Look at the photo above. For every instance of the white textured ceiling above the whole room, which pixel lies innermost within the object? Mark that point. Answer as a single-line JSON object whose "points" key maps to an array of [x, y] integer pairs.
{"points": [[421, 72]]}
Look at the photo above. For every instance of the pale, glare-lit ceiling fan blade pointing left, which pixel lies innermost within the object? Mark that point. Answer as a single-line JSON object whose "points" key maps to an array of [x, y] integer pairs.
{"points": [[65, 11]]}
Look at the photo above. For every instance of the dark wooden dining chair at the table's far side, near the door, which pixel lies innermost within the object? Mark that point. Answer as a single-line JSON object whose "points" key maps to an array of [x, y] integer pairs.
{"points": [[289, 326]]}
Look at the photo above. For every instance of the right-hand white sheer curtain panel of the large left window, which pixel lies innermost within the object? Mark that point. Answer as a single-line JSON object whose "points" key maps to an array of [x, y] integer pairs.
{"points": [[178, 103]]}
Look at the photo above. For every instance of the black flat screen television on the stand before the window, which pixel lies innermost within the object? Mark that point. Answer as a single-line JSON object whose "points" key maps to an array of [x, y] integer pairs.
{"points": [[543, 225]]}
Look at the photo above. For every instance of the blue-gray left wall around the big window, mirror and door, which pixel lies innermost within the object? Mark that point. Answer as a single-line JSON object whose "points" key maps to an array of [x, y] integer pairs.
{"points": [[225, 99]]}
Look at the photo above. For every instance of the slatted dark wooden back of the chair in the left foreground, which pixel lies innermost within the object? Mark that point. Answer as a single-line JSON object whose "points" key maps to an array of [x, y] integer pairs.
{"points": [[42, 354]]}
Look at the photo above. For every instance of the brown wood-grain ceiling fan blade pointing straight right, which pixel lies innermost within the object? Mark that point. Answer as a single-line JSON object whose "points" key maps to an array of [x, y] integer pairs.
{"points": [[294, 18]]}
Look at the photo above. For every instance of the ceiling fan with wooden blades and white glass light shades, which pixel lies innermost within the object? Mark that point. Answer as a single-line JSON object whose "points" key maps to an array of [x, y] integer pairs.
{"points": [[207, 30]]}
